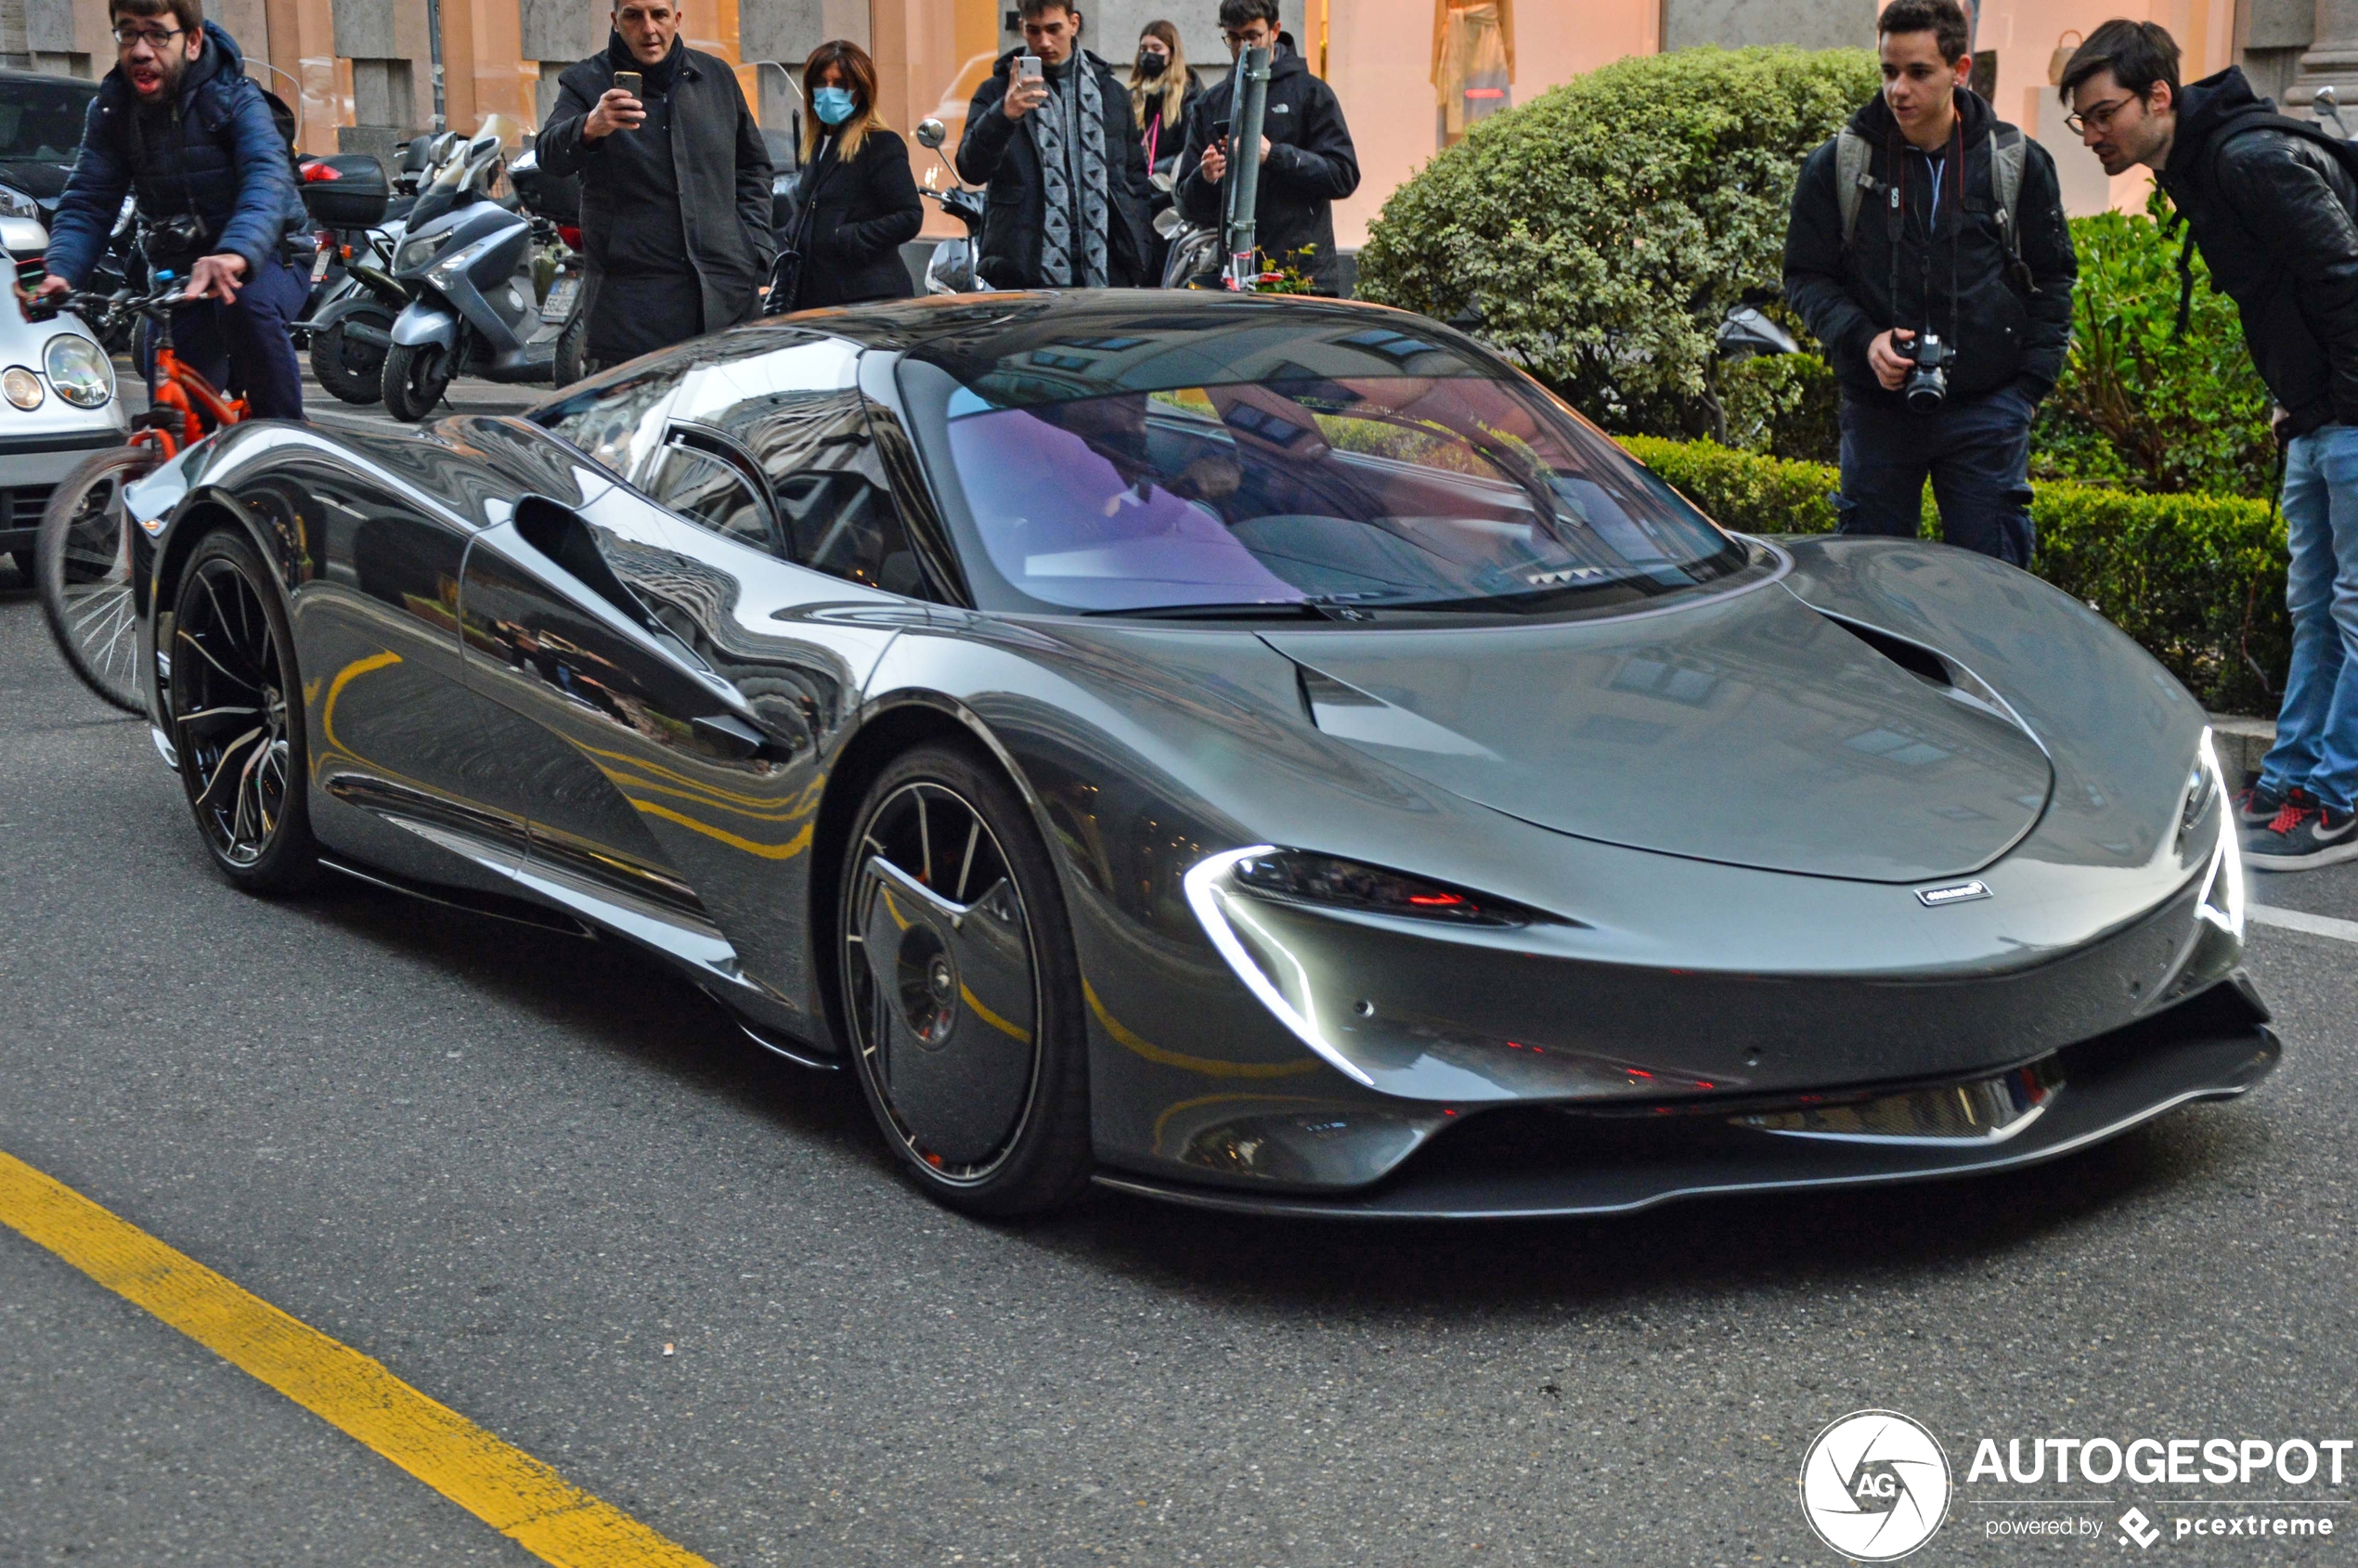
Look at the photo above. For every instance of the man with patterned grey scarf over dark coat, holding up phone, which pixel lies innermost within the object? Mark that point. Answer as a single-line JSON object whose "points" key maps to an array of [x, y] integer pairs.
{"points": [[1062, 157]]}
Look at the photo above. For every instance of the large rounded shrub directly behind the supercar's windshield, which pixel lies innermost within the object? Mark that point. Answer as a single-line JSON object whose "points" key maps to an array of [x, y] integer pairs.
{"points": [[1607, 228]]}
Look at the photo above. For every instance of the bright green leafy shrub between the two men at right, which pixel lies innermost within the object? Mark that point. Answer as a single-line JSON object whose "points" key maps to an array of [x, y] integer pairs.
{"points": [[2142, 407]]}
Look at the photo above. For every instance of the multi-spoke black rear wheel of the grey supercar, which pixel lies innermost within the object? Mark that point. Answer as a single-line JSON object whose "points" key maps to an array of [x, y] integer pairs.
{"points": [[237, 718]]}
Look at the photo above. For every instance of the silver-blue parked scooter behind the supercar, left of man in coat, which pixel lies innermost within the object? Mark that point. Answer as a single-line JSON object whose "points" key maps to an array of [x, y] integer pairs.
{"points": [[473, 310]]}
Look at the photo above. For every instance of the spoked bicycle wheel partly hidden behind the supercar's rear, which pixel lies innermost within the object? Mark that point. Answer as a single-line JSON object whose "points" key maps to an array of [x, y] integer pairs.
{"points": [[84, 569]]}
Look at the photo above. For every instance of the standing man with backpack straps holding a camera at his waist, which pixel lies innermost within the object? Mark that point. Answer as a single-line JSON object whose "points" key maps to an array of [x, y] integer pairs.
{"points": [[1928, 251]]}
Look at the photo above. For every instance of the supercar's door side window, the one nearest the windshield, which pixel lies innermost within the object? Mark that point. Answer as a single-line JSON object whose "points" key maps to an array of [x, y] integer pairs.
{"points": [[834, 501]]}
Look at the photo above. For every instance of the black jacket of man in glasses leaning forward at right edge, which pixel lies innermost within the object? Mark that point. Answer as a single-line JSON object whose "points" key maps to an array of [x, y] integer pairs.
{"points": [[2272, 213]]}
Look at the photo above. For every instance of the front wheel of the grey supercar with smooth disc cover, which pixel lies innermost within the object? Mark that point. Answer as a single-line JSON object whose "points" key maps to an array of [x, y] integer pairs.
{"points": [[968, 1039]]}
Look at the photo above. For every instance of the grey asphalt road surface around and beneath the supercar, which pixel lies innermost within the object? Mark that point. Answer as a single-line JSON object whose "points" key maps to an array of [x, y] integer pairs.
{"points": [[518, 1166]]}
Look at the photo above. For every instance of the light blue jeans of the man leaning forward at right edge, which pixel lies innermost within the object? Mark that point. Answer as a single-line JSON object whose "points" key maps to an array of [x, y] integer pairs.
{"points": [[2317, 727]]}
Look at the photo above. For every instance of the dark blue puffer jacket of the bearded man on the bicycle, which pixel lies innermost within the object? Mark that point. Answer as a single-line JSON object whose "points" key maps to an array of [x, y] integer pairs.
{"points": [[220, 157]]}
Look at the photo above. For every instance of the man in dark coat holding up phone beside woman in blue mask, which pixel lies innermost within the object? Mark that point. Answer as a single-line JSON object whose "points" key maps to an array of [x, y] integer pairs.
{"points": [[676, 187]]}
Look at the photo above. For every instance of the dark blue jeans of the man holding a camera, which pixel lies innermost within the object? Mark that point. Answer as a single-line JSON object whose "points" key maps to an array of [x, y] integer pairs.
{"points": [[1975, 454]]}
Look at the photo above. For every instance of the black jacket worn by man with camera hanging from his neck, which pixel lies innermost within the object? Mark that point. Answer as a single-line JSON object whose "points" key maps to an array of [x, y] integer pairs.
{"points": [[2003, 334]]}
